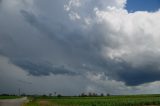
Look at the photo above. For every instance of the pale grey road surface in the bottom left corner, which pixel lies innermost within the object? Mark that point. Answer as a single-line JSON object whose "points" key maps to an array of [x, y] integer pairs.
{"points": [[13, 102]]}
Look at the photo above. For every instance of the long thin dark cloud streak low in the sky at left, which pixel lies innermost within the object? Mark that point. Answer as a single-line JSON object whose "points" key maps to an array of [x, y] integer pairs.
{"points": [[42, 68]]}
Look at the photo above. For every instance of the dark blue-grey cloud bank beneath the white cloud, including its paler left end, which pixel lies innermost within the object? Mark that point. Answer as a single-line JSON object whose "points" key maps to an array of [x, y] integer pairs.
{"points": [[131, 75]]}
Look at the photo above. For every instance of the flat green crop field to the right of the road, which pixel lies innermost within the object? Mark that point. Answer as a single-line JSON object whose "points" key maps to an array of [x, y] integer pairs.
{"points": [[141, 100]]}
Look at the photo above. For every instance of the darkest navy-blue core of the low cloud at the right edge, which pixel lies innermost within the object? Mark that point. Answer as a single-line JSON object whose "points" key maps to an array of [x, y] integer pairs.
{"points": [[139, 75]]}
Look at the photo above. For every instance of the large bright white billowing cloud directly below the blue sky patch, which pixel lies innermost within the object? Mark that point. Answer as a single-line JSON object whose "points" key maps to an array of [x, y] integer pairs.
{"points": [[132, 34]]}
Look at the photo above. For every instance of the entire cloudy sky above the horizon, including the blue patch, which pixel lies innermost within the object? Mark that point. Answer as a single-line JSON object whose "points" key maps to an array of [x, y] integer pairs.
{"points": [[75, 46]]}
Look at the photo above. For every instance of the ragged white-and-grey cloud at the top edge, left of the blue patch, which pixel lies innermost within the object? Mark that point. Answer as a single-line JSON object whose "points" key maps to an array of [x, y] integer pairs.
{"points": [[85, 8]]}
